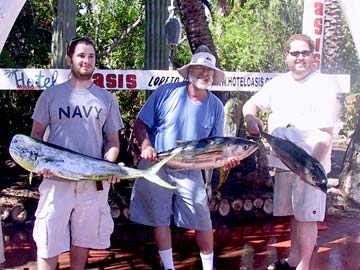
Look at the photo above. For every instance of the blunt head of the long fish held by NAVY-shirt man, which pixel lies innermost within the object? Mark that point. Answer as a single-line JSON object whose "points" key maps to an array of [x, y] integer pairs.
{"points": [[23, 152]]}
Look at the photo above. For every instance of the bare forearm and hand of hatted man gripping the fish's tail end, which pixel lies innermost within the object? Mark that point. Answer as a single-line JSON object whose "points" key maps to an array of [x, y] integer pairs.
{"points": [[148, 152]]}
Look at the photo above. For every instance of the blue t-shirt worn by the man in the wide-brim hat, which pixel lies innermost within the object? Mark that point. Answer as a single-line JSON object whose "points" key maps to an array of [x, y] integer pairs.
{"points": [[171, 116]]}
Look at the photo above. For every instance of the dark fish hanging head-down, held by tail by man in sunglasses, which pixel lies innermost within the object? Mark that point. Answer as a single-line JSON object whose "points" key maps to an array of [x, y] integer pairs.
{"points": [[298, 161]]}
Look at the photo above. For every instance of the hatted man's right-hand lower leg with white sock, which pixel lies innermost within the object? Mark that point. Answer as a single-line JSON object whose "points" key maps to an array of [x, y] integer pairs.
{"points": [[205, 241]]}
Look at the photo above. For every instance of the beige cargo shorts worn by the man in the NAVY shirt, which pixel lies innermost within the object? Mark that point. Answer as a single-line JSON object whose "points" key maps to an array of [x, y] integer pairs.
{"points": [[74, 213]]}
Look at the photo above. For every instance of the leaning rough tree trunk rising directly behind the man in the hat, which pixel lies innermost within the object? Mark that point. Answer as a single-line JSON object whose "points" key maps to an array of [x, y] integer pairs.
{"points": [[193, 17]]}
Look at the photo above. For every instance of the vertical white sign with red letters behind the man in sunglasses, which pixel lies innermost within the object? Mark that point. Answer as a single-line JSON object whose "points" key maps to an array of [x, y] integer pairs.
{"points": [[313, 26]]}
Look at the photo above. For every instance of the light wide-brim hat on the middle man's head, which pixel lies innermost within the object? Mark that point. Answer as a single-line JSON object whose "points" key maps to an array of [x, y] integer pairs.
{"points": [[203, 59]]}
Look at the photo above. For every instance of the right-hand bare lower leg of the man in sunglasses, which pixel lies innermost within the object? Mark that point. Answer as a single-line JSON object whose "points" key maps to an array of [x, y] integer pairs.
{"points": [[307, 235]]}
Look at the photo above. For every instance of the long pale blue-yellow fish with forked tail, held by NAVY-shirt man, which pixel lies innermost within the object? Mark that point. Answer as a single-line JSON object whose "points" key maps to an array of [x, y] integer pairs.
{"points": [[35, 156]]}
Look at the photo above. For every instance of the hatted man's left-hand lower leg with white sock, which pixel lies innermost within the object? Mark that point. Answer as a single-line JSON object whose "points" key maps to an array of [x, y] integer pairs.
{"points": [[162, 236]]}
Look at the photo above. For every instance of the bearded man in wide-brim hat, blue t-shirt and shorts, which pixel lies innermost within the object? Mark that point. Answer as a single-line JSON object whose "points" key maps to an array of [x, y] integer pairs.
{"points": [[175, 112]]}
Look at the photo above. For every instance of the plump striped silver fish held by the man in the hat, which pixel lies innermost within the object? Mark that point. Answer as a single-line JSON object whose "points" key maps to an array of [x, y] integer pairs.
{"points": [[208, 153]]}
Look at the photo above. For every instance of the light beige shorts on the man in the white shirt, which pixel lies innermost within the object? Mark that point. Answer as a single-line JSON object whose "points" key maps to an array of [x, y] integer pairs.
{"points": [[294, 197]]}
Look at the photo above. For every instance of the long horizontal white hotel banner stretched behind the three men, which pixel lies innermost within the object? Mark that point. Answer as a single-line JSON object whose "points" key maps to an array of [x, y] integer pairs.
{"points": [[40, 79]]}
